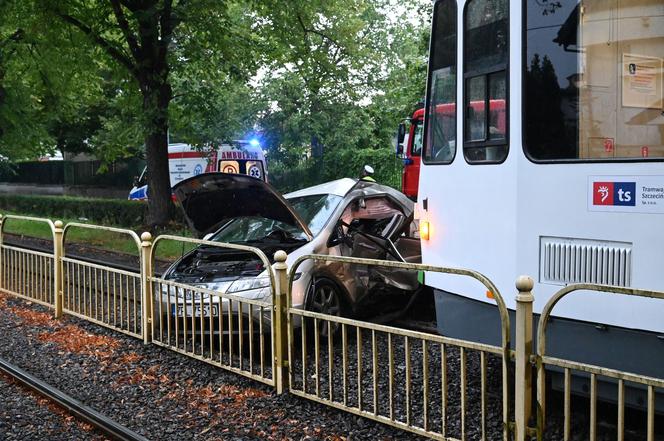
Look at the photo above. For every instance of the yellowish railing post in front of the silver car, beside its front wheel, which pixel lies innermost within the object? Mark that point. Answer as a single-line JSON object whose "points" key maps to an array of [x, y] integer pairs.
{"points": [[280, 325]]}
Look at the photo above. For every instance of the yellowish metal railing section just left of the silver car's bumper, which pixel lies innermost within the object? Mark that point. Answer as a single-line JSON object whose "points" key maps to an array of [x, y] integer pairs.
{"points": [[100, 293]]}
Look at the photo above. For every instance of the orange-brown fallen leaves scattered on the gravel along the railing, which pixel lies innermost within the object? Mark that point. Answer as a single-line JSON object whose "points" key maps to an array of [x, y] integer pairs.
{"points": [[243, 411]]}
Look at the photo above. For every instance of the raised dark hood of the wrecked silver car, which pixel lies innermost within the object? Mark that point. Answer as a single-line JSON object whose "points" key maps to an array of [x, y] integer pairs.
{"points": [[209, 200]]}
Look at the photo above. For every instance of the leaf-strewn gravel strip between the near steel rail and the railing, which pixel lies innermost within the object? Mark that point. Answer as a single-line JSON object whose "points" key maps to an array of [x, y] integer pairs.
{"points": [[158, 393]]}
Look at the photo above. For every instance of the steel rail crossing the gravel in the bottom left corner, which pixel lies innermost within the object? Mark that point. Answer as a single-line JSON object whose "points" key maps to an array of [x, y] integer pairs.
{"points": [[73, 406]]}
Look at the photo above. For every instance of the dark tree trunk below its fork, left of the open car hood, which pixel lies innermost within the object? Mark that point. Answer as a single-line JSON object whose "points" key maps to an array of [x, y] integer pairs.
{"points": [[156, 100]]}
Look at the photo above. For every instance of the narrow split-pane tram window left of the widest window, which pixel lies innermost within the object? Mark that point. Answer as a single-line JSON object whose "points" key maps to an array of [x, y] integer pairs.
{"points": [[485, 76]]}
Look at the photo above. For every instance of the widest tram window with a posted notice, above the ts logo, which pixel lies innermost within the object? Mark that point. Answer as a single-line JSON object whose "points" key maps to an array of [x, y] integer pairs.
{"points": [[593, 80]]}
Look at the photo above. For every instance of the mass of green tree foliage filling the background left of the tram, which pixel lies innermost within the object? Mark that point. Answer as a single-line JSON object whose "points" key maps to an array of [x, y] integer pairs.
{"points": [[339, 74]]}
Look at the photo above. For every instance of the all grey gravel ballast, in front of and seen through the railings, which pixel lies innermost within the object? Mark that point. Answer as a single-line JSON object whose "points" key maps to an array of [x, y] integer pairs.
{"points": [[163, 395]]}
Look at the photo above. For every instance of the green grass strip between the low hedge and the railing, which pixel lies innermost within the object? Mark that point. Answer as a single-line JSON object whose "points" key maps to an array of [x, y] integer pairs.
{"points": [[102, 239]]}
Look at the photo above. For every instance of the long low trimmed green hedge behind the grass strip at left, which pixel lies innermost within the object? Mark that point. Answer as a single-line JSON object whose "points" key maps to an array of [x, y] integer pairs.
{"points": [[114, 212]]}
